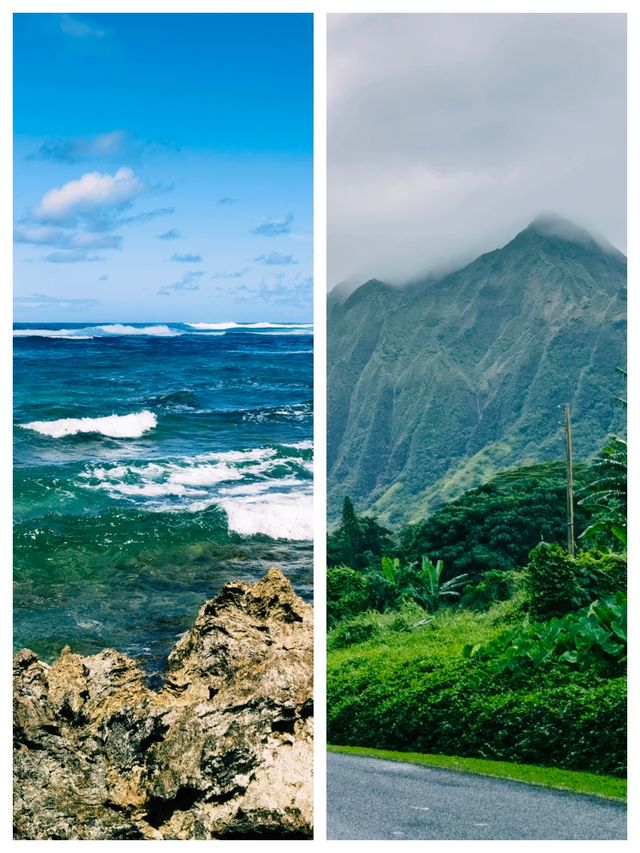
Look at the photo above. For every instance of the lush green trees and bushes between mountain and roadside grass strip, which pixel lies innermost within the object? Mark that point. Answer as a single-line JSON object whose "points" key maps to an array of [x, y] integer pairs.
{"points": [[520, 659]]}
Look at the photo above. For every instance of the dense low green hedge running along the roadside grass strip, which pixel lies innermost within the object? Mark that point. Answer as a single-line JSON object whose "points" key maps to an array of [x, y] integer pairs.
{"points": [[388, 698]]}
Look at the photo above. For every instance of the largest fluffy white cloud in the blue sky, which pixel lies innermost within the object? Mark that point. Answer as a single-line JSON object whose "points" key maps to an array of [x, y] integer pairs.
{"points": [[90, 196]]}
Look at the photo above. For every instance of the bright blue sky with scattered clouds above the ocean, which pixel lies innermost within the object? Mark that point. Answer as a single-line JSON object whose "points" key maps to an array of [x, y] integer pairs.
{"points": [[163, 167]]}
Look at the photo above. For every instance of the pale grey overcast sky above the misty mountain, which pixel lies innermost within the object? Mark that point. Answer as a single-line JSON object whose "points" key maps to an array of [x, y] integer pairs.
{"points": [[447, 134]]}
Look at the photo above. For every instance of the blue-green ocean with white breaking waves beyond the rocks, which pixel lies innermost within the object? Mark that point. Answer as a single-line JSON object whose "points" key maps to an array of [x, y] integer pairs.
{"points": [[152, 464]]}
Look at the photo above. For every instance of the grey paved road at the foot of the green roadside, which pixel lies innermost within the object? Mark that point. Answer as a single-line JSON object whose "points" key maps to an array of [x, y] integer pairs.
{"points": [[369, 798]]}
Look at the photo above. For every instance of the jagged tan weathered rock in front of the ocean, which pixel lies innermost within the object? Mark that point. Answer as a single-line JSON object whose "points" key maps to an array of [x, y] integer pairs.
{"points": [[223, 750]]}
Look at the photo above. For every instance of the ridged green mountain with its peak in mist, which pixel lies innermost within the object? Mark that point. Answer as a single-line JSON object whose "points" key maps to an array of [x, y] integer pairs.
{"points": [[434, 387]]}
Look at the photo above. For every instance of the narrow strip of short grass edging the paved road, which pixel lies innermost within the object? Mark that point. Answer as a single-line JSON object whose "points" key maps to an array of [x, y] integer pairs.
{"points": [[566, 780]]}
